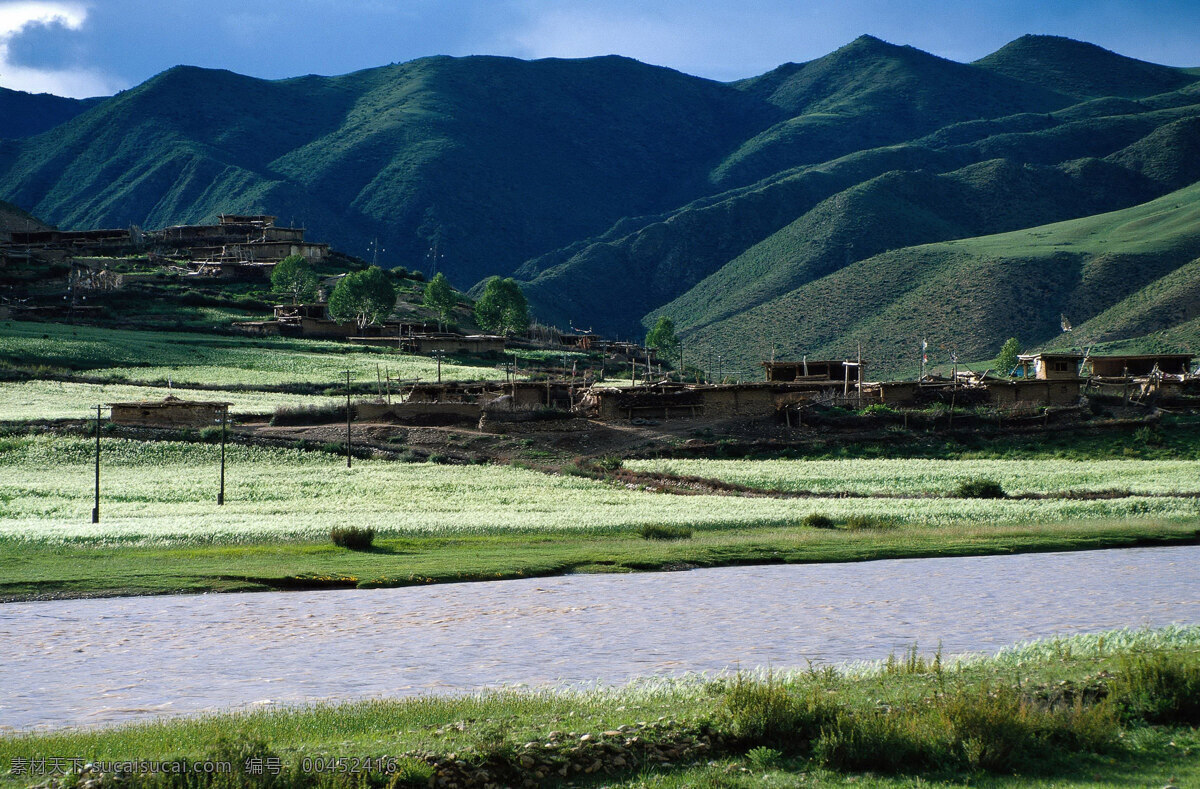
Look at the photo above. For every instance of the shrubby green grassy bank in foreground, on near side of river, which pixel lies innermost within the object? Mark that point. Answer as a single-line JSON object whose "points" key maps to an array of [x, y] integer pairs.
{"points": [[1115, 709]]}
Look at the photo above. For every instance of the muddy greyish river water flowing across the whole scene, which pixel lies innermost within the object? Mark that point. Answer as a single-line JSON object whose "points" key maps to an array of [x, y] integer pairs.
{"points": [[106, 661]]}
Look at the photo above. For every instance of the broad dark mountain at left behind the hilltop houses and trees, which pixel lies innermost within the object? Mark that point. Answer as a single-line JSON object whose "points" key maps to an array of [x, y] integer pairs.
{"points": [[496, 160]]}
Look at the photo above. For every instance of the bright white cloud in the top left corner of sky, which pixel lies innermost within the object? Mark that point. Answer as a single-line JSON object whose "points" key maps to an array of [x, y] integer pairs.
{"points": [[80, 83]]}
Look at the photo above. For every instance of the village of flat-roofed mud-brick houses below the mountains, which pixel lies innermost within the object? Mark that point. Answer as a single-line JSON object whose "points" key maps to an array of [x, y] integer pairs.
{"points": [[245, 249]]}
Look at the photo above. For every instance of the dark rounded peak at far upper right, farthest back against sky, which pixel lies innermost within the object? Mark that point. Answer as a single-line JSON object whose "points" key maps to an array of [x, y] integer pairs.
{"points": [[1083, 70]]}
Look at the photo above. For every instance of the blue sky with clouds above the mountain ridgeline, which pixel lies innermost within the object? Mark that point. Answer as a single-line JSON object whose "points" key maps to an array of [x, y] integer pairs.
{"points": [[98, 47]]}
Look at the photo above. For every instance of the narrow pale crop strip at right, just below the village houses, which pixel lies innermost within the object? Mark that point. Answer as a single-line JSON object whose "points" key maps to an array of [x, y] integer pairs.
{"points": [[923, 477]]}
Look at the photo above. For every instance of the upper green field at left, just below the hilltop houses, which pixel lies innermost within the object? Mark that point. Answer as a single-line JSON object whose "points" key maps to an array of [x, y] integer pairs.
{"points": [[215, 360]]}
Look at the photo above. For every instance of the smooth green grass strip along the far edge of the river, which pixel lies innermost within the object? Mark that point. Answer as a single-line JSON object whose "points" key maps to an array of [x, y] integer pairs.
{"points": [[33, 570]]}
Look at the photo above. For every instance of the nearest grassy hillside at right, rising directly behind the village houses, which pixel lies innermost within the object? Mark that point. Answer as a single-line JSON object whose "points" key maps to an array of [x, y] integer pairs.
{"points": [[1109, 274]]}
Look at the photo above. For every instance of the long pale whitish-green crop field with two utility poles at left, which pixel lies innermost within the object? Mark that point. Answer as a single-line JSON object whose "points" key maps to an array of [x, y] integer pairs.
{"points": [[165, 493]]}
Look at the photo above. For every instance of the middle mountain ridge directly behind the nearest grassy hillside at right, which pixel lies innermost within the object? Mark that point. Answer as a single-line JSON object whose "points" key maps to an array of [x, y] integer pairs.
{"points": [[1013, 173]]}
